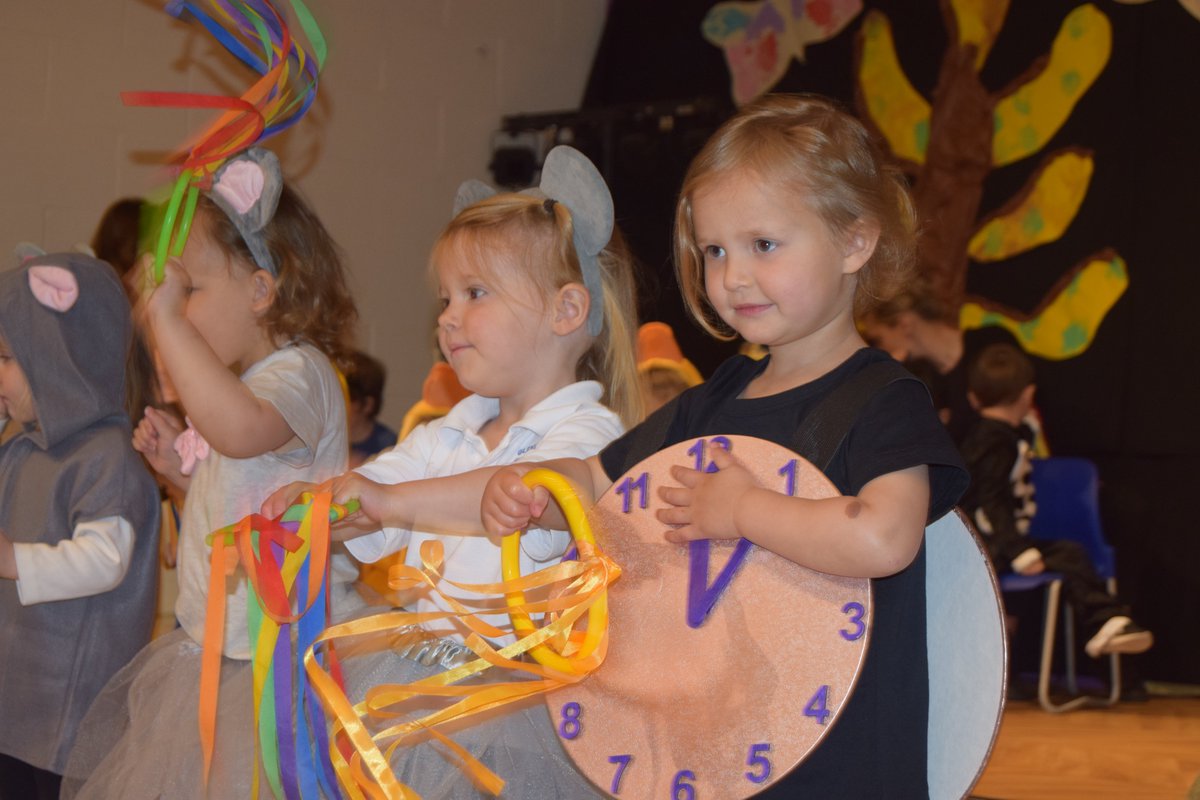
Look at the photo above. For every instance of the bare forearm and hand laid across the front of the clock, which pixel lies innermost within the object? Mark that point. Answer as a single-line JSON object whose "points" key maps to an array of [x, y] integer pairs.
{"points": [[872, 536]]}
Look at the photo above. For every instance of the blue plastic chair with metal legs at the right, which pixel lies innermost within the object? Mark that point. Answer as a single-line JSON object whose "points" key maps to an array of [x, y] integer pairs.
{"points": [[1067, 495]]}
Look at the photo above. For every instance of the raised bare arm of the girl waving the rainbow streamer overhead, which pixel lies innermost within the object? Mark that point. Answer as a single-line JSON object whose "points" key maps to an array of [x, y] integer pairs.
{"points": [[233, 420]]}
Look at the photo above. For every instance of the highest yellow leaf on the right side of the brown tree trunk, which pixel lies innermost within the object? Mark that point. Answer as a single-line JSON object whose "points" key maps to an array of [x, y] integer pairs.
{"points": [[1033, 113]]}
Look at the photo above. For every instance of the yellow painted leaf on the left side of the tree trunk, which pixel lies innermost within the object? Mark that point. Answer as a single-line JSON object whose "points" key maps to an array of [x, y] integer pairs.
{"points": [[898, 111]]}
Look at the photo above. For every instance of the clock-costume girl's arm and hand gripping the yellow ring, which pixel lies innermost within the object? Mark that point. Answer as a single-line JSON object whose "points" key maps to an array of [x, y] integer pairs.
{"points": [[508, 504]]}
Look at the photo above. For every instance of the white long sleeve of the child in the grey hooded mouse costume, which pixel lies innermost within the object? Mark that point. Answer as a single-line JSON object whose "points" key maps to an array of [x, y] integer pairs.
{"points": [[94, 561]]}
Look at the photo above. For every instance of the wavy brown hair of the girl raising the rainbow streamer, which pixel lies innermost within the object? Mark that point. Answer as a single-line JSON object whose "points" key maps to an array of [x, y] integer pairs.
{"points": [[313, 302]]}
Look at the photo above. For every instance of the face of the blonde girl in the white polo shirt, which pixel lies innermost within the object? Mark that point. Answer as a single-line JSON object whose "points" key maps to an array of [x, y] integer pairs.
{"points": [[494, 327]]}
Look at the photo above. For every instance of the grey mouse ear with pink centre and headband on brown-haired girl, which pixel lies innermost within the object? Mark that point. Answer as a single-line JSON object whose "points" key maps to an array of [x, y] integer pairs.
{"points": [[248, 189]]}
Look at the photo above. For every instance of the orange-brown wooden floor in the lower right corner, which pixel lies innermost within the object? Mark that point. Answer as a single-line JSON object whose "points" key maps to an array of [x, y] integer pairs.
{"points": [[1131, 751]]}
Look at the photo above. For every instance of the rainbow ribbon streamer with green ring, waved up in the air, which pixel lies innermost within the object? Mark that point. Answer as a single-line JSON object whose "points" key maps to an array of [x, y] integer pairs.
{"points": [[257, 34]]}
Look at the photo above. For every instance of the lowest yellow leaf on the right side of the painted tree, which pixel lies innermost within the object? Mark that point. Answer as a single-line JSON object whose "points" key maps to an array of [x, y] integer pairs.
{"points": [[1066, 324]]}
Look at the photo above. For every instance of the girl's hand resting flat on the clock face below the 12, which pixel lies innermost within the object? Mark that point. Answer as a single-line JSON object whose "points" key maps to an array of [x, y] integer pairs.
{"points": [[706, 504]]}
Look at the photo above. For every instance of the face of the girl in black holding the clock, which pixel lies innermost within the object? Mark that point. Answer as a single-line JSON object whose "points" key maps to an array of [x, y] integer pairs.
{"points": [[773, 270]]}
